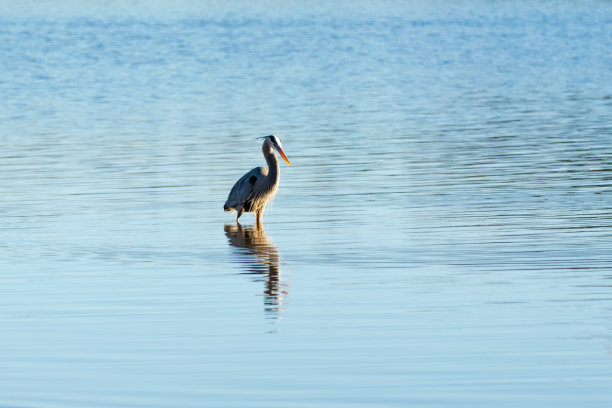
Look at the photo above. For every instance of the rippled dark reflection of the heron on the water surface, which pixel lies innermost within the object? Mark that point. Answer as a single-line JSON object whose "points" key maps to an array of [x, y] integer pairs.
{"points": [[260, 258]]}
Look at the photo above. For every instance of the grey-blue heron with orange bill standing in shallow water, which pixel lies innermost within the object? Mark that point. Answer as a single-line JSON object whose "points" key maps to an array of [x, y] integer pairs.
{"points": [[253, 190]]}
